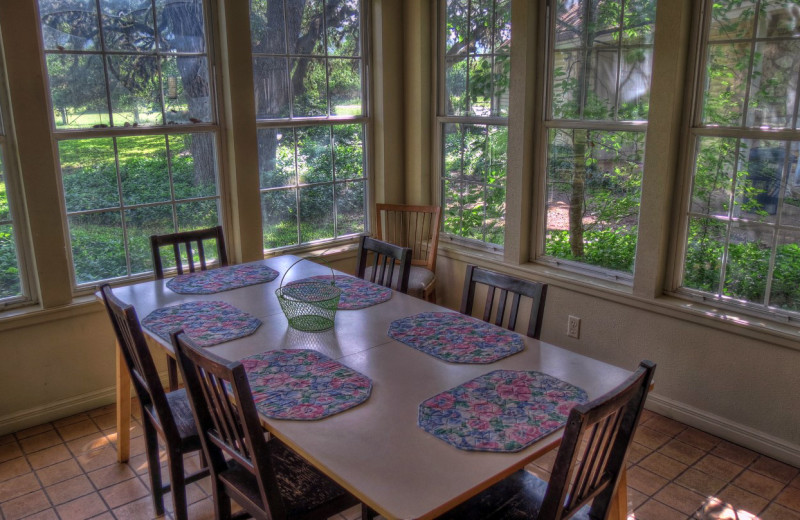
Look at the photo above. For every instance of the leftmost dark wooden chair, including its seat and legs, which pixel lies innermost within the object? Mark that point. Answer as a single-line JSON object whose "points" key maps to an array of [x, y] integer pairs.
{"points": [[167, 415]]}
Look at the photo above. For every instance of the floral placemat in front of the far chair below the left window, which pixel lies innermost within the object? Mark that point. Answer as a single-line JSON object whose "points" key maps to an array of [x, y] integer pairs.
{"points": [[222, 279]]}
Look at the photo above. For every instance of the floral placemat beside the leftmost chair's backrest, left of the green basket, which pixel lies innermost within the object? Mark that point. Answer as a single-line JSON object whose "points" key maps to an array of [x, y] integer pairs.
{"points": [[207, 323]]}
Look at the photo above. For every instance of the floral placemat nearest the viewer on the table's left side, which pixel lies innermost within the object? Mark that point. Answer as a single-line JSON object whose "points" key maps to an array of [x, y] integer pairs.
{"points": [[303, 385]]}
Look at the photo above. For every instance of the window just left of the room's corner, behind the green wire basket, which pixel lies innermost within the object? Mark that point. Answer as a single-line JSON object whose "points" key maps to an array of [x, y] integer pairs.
{"points": [[310, 94]]}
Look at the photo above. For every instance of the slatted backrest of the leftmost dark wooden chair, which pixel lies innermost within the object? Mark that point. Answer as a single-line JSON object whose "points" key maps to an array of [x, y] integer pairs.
{"points": [[140, 363]]}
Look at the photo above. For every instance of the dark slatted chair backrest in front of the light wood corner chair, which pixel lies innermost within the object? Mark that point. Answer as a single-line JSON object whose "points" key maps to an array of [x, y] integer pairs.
{"points": [[385, 257]]}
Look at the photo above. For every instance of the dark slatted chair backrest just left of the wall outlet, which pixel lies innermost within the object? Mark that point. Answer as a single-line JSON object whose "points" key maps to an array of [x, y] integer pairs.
{"points": [[506, 286]]}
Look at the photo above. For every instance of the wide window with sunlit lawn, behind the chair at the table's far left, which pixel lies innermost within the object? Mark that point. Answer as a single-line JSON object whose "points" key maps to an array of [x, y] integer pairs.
{"points": [[135, 124]]}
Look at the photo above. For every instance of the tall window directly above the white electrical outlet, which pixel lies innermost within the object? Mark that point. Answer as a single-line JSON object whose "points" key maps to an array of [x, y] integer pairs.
{"points": [[598, 96]]}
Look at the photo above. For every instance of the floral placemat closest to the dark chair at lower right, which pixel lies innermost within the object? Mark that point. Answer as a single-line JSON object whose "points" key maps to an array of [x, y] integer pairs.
{"points": [[504, 410]]}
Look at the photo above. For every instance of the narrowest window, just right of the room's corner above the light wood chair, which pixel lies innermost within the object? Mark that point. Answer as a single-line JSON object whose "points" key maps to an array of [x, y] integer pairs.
{"points": [[474, 68]]}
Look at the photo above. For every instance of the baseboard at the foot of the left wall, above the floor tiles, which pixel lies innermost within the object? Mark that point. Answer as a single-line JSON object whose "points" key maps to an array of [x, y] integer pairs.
{"points": [[37, 415]]}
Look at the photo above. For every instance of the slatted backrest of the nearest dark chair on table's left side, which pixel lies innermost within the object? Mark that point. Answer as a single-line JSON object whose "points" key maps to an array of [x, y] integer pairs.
{"points": [[226, 417]]}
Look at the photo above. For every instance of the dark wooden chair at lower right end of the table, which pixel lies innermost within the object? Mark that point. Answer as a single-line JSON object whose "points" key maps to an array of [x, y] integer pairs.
{"points": [[585, 474]]}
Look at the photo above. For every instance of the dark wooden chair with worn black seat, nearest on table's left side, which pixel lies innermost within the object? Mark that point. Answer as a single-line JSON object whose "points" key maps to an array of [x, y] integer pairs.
{"points": [[265, 477]]}
